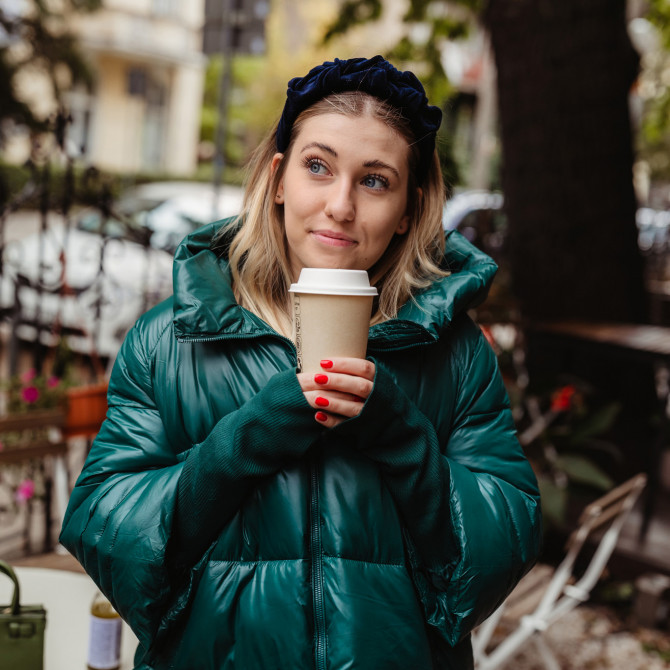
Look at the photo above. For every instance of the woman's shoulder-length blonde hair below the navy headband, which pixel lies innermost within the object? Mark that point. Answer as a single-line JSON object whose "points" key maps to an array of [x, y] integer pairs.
{"points": [[258, 254]]}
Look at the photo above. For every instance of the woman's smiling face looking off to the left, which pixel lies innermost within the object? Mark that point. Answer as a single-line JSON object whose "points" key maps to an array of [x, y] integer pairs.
{"points": [[344, 192]]}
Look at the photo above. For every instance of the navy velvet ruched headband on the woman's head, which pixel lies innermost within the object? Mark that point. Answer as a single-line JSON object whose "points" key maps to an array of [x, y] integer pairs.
{"points": [[375, 76]]}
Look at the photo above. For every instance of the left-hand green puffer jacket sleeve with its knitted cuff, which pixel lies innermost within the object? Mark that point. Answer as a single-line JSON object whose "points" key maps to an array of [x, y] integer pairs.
{"points": [[124, 511]]}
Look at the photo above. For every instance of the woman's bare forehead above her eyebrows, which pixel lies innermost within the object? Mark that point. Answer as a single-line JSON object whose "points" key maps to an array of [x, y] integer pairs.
{"points": [[357, 136]]}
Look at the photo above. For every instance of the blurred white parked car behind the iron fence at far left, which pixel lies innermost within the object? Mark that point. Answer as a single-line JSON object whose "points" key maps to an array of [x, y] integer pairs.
{"points": [[92, 289]]}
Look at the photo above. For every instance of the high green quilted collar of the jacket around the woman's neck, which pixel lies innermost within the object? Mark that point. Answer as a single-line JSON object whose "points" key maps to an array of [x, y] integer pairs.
{"points": [[205, 306]]}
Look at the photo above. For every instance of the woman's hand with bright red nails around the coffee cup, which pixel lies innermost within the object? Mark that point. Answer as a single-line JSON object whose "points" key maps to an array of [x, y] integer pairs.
{"points": [[338, 393]]}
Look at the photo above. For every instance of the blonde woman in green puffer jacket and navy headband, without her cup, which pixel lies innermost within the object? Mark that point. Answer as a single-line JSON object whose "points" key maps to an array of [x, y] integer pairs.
{"points": [[240, 514]]}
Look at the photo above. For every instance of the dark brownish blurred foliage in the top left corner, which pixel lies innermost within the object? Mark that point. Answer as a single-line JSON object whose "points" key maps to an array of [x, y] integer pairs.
{"points": [[36, 41]]}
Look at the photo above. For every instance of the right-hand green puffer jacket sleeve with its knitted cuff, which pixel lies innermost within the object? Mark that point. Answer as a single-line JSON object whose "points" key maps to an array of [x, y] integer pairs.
{"points": [[471, 506]]}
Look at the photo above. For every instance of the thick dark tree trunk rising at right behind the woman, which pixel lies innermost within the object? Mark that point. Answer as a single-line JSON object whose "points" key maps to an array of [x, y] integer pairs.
{"points": [[565, 69]]}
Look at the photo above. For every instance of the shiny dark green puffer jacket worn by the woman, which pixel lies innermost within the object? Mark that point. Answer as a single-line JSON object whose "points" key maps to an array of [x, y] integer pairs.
{"points": [[232, 531]]}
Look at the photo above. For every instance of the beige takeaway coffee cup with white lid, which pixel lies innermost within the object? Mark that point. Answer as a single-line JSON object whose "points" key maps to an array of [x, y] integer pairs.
{"points": [[331, 315]]}
